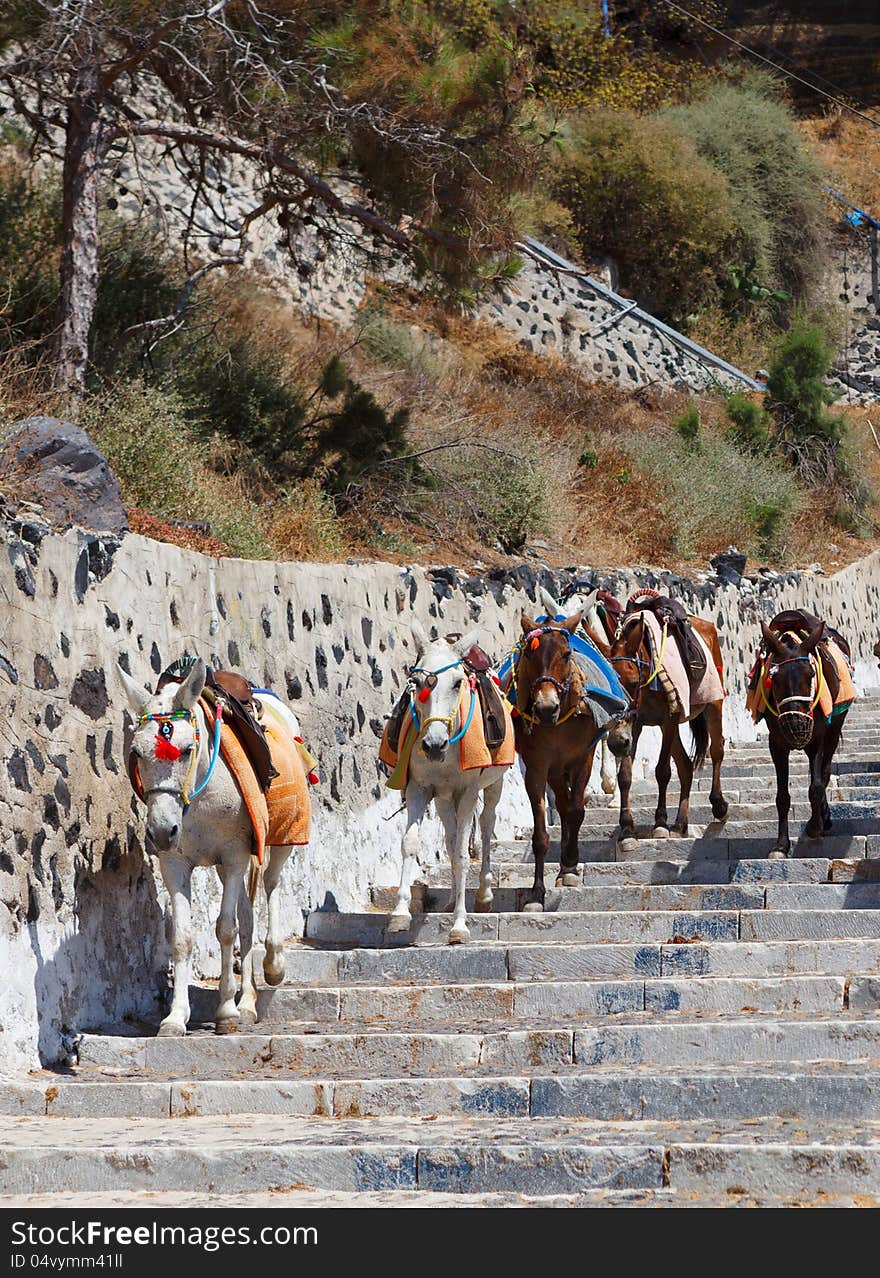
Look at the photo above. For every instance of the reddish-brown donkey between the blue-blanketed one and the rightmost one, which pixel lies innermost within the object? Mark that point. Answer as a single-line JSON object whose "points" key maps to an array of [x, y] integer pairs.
{"points": [[651, 709]]}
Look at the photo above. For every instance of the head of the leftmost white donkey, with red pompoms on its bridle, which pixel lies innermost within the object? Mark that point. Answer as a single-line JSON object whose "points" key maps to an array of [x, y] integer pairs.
{"points": [[165, 746]]}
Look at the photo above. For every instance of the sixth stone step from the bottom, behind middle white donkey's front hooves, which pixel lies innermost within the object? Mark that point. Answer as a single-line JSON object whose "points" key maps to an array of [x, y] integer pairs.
{"points": [[660, 926]]}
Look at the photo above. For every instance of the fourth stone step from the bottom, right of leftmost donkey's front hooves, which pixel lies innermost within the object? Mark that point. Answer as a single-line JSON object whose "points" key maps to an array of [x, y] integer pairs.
{"points": [[429, 1005]]}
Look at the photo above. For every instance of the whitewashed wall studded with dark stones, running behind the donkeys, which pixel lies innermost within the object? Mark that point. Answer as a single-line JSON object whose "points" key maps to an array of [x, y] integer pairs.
{"points": [[82, 914]]}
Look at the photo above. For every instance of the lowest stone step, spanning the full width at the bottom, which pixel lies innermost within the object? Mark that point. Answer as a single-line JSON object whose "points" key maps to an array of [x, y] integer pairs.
{"points": [[450, 1156]]}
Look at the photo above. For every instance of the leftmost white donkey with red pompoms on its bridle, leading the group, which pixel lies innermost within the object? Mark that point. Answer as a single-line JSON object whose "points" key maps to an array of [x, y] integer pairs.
{"points": [[213, 830]]}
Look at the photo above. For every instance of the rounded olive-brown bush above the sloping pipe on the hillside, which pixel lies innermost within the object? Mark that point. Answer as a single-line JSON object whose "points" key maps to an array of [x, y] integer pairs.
{"points": [[638, 190]]}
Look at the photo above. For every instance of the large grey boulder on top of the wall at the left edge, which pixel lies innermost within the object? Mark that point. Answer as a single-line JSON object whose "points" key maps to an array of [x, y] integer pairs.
{"points": [[58, 467]]}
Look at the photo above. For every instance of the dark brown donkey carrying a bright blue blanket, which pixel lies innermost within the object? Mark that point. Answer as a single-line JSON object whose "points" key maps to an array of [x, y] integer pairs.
{"points": [[556, 737]]}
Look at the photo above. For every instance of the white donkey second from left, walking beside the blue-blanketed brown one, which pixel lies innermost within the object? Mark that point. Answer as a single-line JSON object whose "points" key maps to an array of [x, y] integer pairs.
{"points": [[435, 773]]}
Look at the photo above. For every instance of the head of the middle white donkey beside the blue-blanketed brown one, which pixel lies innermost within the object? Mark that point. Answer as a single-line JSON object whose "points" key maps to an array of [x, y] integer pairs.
{"points": [[439, 681]]}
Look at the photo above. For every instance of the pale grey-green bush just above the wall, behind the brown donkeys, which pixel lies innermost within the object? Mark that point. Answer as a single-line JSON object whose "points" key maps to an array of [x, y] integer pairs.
{"points": [[722, 498]]}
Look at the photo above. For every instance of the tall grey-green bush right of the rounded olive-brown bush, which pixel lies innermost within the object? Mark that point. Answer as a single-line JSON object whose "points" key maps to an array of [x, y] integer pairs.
{"points": [[776, 187]]}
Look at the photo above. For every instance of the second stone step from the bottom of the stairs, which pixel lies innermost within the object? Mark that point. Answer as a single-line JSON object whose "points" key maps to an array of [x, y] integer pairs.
{"points": [[841, 1092]]}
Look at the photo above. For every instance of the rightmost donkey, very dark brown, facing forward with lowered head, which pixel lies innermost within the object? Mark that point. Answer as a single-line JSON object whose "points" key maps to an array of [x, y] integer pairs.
{"points": [[787, 678]]}
